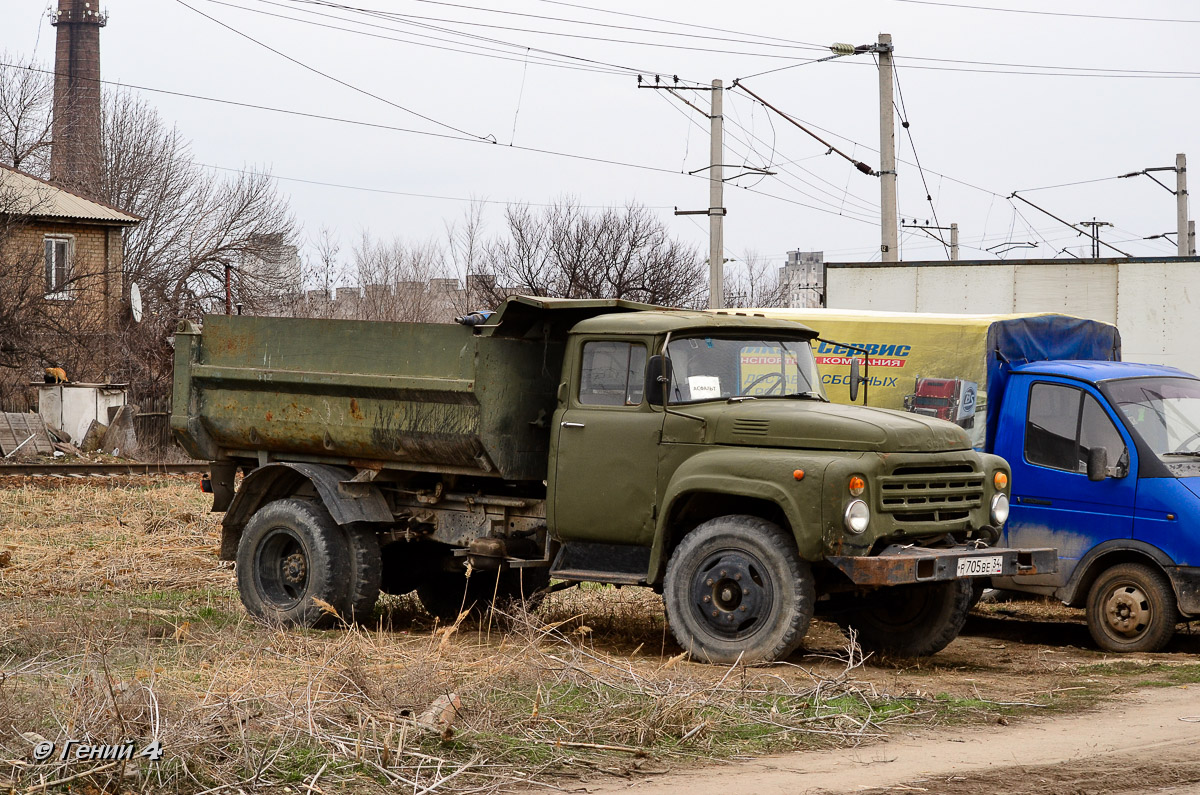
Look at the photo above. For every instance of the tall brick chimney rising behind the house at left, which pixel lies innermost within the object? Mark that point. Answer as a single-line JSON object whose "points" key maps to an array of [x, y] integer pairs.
{"points": [[76, 151]]}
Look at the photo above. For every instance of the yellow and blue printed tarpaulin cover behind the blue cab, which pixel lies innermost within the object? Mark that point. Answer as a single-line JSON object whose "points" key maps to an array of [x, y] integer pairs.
{"points": [[945, 366]]}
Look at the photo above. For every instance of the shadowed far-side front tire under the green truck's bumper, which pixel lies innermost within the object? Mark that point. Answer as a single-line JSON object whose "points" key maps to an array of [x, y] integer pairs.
{"points": [[909, 620]]}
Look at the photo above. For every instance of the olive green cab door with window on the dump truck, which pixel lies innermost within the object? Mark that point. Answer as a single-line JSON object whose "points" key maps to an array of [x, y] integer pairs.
{"points": [[605, 441]]}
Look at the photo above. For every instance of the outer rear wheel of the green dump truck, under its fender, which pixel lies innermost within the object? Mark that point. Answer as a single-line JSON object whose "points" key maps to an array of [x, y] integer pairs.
{"points": [[290, 555]]}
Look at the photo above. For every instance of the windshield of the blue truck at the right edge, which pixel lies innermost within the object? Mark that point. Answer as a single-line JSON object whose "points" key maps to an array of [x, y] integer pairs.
{"points": [[1166, 413]]}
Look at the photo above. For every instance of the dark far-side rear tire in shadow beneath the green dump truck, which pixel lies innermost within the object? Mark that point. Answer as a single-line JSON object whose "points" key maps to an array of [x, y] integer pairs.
{"points": [[446, 595]]}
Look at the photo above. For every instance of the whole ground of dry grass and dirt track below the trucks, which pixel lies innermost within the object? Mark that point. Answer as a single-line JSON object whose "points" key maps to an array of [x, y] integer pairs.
{"points": [[117, 620]]}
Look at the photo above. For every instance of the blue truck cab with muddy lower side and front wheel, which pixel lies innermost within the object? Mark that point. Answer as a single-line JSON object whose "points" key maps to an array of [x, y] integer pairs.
{"points": [[1106, 462]]}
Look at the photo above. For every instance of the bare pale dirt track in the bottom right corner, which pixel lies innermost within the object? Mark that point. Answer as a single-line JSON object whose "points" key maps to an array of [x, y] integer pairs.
{"points": [[1141, 743]]}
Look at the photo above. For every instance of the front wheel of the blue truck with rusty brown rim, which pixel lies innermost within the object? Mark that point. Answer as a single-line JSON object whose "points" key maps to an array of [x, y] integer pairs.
{"points": [[1131, 608]]}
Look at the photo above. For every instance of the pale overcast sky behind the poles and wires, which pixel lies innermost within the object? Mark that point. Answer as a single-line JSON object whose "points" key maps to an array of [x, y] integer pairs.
{"points": [[530, 76]]}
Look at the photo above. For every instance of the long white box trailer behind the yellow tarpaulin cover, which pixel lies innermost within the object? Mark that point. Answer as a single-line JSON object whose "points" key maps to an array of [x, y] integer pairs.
{"points": [[1153, 301]]}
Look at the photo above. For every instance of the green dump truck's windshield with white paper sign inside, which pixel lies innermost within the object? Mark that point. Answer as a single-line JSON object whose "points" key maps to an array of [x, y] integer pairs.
{"points": [[707, 368]]}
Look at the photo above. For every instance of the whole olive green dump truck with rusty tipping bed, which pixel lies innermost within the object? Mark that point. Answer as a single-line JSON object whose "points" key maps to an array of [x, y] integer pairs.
{"points": [[587, 441]]}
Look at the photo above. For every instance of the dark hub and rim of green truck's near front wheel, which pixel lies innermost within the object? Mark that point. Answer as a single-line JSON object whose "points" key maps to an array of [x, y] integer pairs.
{"points": [[731, 594]]}
